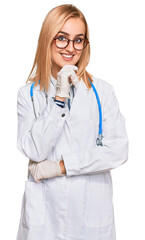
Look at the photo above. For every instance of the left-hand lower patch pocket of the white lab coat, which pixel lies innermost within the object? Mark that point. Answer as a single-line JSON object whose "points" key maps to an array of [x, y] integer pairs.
{"points": [[34, 207]]}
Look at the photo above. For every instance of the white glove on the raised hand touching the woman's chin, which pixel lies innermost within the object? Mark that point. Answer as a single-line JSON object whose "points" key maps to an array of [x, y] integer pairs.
{"points": [[63, 84]]}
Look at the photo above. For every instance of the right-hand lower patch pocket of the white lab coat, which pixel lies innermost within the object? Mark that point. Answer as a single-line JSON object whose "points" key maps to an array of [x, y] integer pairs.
{"points": [[99, 206]]}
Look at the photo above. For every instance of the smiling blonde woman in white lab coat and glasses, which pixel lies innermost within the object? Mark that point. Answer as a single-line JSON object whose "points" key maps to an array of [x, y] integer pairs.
{"points": [[68, 194]]}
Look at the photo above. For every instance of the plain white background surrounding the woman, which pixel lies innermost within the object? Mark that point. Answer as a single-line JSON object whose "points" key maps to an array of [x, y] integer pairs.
{"points": [[117, 38]]}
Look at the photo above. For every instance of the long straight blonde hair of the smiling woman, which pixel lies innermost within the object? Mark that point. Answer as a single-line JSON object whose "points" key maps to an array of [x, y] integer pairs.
{"points": [[52, 24]]}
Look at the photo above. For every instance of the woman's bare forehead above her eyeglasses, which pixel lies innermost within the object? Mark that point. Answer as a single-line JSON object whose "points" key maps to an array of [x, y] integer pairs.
{"points": [[74, 26]]}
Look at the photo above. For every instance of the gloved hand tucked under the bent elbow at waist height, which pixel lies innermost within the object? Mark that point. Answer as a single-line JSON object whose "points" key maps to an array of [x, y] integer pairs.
{"points": [[44, 169]]}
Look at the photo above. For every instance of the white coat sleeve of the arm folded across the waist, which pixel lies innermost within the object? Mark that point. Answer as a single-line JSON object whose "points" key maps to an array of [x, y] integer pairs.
{"points": [[114, 151]]}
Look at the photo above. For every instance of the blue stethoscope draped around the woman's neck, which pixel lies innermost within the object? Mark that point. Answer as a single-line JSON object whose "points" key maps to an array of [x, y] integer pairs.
{"points": [[99, 138]]}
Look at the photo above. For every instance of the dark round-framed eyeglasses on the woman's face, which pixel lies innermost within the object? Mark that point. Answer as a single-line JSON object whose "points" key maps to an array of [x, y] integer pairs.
{"points": [[79, 43]]}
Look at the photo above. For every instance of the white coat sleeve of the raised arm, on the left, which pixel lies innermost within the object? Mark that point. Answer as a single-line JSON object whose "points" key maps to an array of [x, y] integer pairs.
{"points": [[37, 137]]}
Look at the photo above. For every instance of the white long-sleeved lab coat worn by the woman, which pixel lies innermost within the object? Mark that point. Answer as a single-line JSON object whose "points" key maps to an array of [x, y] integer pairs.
{"points": [[78, 205]]}
